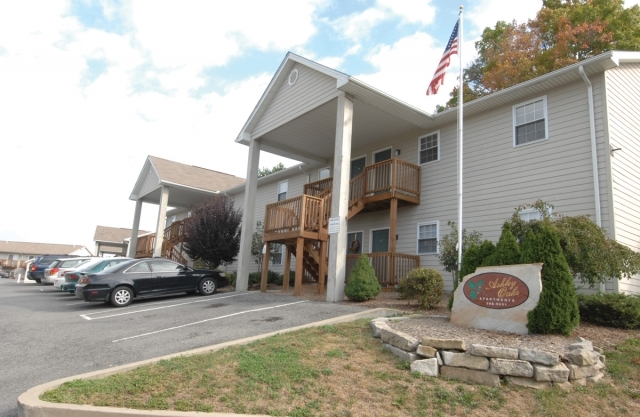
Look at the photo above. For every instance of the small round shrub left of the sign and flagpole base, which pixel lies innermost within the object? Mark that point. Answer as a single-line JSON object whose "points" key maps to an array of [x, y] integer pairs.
{"points": [[423, 284]]}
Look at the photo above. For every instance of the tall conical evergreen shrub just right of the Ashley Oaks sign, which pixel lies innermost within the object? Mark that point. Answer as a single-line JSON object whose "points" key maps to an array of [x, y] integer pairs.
{"points": [[557, 310]]}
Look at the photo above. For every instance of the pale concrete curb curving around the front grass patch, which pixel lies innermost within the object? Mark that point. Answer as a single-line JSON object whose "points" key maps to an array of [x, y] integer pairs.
{"points": [[30, 405]]}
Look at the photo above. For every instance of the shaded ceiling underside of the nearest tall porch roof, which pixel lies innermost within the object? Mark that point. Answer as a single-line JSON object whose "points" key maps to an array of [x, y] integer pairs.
{"points": [[311, 137]]}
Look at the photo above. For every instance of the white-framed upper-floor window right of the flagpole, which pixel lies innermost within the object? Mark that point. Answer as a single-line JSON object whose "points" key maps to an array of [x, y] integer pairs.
{"points": [[530, 122]]}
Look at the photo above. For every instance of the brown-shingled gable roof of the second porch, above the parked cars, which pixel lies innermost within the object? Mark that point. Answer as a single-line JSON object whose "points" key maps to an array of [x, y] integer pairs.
{"points": [[183, 176]]}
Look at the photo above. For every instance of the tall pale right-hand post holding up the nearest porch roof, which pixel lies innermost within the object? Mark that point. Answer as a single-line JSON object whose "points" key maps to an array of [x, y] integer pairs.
{"points": [[340, 199]]}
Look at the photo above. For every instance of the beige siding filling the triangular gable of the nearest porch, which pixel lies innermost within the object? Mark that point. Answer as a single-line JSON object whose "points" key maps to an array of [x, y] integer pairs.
{"points": [[311, 89]]}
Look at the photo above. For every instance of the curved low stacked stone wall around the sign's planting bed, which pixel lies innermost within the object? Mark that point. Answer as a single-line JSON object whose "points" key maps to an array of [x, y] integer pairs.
{"points": [[489, 365]]}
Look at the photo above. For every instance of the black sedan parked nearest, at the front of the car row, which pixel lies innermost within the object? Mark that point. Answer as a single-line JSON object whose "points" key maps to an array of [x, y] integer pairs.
{"points": [[147, 277]]}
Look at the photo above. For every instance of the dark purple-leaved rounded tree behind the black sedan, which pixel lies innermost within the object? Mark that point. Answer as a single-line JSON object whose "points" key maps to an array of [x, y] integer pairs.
{"points": [[212, 233]]}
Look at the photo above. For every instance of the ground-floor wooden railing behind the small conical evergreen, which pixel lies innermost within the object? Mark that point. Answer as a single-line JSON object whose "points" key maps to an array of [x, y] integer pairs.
{"points": [[390, 267]]}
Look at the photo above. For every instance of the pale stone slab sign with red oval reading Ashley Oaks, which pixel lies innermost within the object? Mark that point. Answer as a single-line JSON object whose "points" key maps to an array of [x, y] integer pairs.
{"points": [[492, 298]]}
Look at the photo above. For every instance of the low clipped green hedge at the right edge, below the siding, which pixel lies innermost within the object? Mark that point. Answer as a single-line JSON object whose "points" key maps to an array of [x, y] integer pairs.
{"points": [[611, 310]]}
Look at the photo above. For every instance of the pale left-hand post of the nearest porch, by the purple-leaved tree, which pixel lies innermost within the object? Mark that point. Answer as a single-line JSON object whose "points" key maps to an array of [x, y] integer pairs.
{"points": [[248, 216]]}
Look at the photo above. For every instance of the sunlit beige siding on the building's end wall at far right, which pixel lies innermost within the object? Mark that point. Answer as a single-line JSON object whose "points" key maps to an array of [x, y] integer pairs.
{"points": [[623, 96]]}
